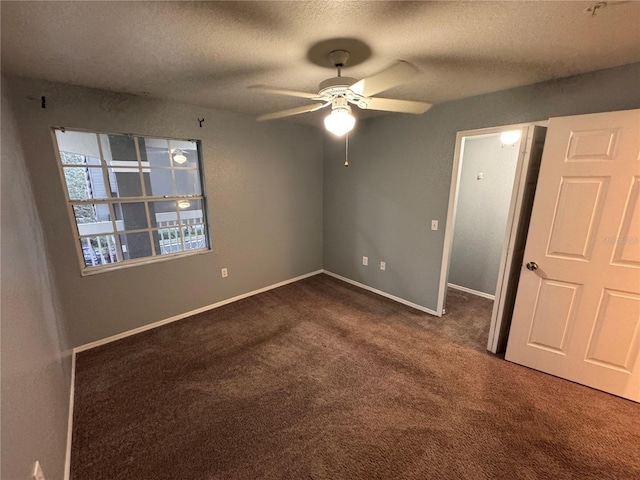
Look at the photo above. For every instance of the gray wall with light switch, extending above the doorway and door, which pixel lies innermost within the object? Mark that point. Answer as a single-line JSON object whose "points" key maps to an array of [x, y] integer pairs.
{"points": [[400, 171]]}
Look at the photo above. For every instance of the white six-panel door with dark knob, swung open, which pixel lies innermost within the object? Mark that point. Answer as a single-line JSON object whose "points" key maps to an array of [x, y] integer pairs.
{"points": [[577, 315]]}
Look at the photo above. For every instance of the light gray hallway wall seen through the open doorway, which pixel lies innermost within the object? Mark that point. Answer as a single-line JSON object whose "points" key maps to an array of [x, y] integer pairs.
{"points": [[482, 211]]}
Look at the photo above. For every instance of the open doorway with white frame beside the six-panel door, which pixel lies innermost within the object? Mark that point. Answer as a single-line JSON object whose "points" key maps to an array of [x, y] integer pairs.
{"points": [[492, 186]]}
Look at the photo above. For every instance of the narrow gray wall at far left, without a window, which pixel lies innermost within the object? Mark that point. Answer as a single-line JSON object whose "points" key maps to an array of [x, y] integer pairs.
{"points": [[36, 363]]}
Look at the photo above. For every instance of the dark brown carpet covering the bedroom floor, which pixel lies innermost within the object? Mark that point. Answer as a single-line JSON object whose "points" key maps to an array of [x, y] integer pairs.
{"points": [[322, 380]]}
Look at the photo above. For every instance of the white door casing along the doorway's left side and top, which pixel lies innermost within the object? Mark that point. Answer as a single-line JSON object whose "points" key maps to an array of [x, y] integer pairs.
{"points": [[453, 197]]}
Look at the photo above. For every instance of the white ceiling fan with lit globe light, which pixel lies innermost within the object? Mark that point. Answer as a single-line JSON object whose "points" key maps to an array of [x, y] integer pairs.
{"points": [[340, 91]]}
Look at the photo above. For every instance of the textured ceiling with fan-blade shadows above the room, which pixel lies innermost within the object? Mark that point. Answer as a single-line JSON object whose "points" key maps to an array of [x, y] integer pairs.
{"points": [[207, 53]]}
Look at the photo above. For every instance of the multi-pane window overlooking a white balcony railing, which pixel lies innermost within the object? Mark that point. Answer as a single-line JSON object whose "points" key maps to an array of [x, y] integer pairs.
{"points": [[133, 199]]}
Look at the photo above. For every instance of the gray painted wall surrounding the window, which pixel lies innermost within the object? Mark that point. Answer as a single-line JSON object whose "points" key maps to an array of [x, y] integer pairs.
{"points": [[264, 188]]}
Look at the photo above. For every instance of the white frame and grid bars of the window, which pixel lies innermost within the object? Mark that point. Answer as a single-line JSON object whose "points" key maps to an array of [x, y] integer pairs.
{"points": [[110, 200]]}
